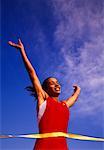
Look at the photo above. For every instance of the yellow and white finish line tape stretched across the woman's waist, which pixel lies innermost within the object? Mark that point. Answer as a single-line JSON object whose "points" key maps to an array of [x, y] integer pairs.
{"points": [[55, 134]]}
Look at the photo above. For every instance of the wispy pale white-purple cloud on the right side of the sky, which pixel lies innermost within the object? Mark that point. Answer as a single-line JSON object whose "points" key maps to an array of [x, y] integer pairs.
{"points": [[82, 22]]}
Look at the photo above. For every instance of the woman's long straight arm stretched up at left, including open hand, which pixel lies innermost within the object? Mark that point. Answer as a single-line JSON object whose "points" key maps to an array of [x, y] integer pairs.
{"points": [[41, 94]]}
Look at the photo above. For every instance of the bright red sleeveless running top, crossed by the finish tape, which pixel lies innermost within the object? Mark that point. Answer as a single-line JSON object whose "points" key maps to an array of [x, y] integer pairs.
{"points": [[54, 119]]}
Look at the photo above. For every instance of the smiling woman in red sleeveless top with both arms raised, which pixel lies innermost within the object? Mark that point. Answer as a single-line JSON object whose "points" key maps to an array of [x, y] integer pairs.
{"points": [[53, 115]]}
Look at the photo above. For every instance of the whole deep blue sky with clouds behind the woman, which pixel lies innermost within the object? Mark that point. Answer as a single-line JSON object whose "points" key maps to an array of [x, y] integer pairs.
{"points": [[64, 39]]}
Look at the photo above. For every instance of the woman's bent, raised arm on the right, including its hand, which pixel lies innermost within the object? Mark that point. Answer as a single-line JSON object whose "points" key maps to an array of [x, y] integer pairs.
{"points": [[71, 100]]}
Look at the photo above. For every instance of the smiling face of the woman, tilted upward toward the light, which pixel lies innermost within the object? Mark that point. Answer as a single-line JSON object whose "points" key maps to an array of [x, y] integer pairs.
{"points": [[53, 87]]}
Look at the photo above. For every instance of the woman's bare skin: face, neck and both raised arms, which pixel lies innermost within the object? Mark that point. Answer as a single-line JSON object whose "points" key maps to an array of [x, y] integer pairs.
{"points": [[54, 88]]}
